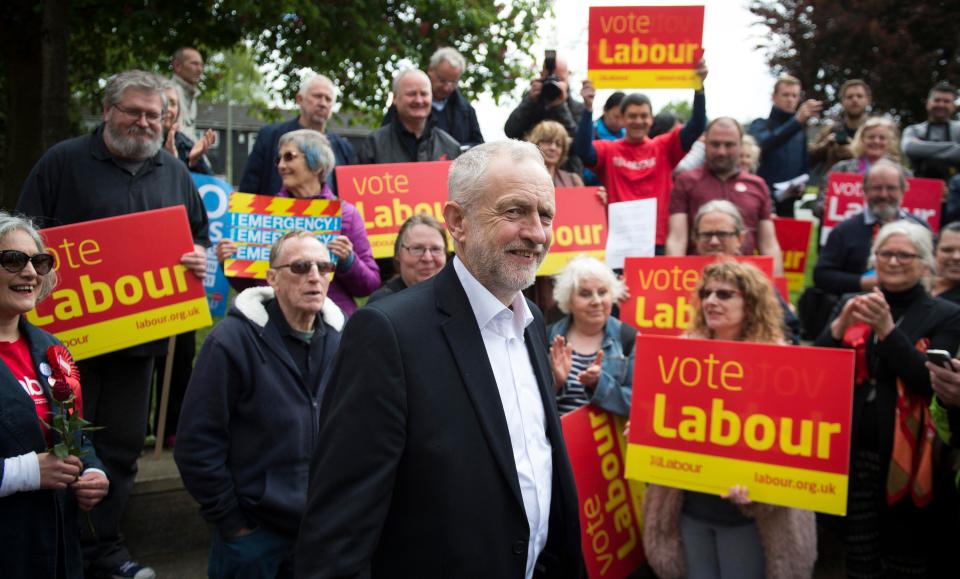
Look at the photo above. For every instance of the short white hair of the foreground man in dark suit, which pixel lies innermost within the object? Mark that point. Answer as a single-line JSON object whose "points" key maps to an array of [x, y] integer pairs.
{"points": [[466, 183]]}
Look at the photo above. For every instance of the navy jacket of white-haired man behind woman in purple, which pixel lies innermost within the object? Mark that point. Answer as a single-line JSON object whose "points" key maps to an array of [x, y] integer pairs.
{"points": [[260, 174]]}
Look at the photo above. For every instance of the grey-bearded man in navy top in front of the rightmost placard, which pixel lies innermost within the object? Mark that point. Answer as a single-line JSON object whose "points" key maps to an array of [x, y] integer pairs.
{"points": [[842, 265]]}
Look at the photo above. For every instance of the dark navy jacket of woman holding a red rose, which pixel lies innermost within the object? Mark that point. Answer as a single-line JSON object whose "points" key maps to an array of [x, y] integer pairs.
{"points": [[29, 539]]}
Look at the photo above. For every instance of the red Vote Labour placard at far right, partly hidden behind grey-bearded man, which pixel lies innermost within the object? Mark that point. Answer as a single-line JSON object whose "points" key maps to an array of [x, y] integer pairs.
{"points": [[844, 198]]}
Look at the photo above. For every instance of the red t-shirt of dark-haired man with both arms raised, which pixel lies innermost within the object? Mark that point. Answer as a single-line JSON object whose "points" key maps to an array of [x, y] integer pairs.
{"points": [[632, 171]]}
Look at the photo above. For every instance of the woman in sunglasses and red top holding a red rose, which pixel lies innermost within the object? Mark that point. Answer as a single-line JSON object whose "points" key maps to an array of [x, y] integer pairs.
{"points": [[39, 492]]}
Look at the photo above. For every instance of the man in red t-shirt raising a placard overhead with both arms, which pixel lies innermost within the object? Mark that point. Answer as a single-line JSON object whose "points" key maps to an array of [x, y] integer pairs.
{"points": [[636, 166]]}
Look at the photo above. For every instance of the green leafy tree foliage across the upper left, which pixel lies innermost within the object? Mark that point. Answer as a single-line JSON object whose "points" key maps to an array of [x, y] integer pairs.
{"points": [[359, 44]]}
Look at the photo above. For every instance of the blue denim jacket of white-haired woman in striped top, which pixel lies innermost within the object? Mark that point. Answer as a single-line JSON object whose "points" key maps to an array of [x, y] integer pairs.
{"points": [[615, 388]]}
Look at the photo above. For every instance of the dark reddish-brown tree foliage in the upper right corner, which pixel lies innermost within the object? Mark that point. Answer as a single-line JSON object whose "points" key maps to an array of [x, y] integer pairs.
{"points": [[900, 48]]}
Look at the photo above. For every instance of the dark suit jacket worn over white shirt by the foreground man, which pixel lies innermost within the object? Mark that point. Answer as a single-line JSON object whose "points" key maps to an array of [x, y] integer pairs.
{"points": [[414, 475]]}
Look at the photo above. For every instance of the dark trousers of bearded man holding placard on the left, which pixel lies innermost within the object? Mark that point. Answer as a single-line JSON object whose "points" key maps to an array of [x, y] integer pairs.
{"points": [[116, 396]]}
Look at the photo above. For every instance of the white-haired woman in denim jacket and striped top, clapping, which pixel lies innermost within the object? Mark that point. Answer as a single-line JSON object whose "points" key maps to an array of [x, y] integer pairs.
{"points": [[591, 352]]}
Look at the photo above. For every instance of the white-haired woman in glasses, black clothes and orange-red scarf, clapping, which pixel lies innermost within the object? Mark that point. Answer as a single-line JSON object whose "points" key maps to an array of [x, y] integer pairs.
{"points": [[891, 512]]}
